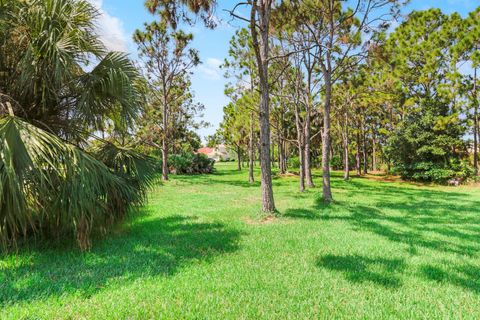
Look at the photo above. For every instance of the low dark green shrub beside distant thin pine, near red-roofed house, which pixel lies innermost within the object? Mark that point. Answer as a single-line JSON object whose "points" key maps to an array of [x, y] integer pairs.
{"points": [[190, 163]]}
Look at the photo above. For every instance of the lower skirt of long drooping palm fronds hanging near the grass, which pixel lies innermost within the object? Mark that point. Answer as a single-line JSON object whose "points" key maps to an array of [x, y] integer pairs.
{"points": [[51, 188]]}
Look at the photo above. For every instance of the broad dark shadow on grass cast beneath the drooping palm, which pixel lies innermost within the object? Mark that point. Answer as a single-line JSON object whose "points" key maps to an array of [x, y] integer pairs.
{"points": [[149, 248]]}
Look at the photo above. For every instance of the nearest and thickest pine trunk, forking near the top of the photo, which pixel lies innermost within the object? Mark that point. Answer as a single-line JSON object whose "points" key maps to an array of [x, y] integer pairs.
{"points": [[261, 51]]}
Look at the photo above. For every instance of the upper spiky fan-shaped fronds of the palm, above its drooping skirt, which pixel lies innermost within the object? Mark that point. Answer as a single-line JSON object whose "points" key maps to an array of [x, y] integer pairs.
{"points": [[46, 46]]}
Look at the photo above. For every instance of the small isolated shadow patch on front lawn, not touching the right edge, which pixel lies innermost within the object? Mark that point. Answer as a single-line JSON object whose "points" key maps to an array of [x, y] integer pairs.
{"points": [[359, 269]]}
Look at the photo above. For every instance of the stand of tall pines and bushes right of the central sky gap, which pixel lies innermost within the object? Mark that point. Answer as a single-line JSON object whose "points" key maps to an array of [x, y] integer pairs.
{"points": [[324, 79]]}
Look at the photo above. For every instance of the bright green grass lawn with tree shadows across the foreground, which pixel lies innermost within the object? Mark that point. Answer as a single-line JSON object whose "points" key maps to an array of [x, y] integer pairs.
{"points": [[382, 250]]}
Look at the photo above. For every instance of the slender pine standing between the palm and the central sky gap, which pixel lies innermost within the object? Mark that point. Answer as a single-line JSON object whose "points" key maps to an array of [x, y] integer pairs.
{"points": [[167, 60]]}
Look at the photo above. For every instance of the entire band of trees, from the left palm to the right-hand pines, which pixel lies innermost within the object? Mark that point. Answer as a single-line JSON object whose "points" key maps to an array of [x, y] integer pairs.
{"points": [[312, 83]]}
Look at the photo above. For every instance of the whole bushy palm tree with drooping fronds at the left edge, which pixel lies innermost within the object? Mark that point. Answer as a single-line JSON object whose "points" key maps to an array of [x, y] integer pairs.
{"points": [[51, 101]]}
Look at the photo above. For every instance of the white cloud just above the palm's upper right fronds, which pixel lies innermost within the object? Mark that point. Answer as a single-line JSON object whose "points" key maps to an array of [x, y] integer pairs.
{"points": [[110, 29]]}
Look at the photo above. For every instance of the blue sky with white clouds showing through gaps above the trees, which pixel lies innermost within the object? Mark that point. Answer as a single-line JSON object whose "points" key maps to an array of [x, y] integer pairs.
{"points": [[120, 18]]}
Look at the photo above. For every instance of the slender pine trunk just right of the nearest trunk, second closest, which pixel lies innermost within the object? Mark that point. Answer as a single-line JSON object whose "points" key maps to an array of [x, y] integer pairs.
{"points": [[327, 192]]}
